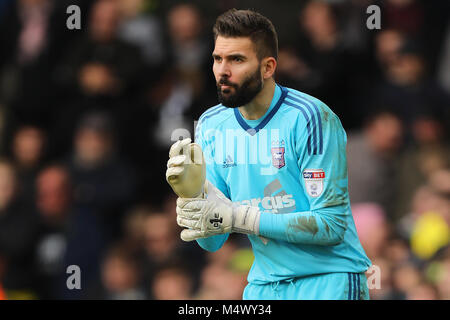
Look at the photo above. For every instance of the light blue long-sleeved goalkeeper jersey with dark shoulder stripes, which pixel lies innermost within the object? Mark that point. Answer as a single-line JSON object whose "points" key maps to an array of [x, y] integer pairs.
{"points": [[292, 164]]}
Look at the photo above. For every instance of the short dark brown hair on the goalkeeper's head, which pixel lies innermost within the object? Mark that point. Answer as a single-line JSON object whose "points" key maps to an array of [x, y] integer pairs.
{"points": [[248, 23]]}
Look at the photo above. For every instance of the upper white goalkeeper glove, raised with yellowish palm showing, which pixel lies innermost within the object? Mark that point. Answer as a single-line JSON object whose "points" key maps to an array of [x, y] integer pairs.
{"points": [[186, 169]]}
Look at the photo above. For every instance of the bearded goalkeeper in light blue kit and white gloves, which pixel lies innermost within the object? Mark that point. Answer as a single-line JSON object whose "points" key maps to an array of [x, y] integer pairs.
{"points": [[269, 162]]}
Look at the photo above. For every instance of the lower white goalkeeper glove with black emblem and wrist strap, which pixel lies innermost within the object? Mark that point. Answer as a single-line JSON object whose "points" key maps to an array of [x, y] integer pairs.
{"points": [[215, 215]]}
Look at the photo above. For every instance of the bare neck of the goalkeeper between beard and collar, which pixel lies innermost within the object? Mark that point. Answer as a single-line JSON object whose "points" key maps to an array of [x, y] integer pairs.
{"points": [[256, 108]]}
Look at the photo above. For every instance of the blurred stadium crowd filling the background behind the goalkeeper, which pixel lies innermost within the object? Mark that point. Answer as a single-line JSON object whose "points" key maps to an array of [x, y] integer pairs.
{"points": [[86, 118]]}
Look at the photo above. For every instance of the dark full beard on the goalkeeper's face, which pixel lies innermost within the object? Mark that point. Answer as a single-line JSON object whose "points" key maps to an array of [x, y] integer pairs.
{"points": [[243, 93]]}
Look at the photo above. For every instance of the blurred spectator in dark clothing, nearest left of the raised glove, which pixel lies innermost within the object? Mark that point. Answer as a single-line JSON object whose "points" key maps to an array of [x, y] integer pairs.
{"points": [[101, 180]]}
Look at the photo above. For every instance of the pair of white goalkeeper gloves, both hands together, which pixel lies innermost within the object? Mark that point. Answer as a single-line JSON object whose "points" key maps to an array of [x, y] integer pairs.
{"points": [[202, 207]]}
